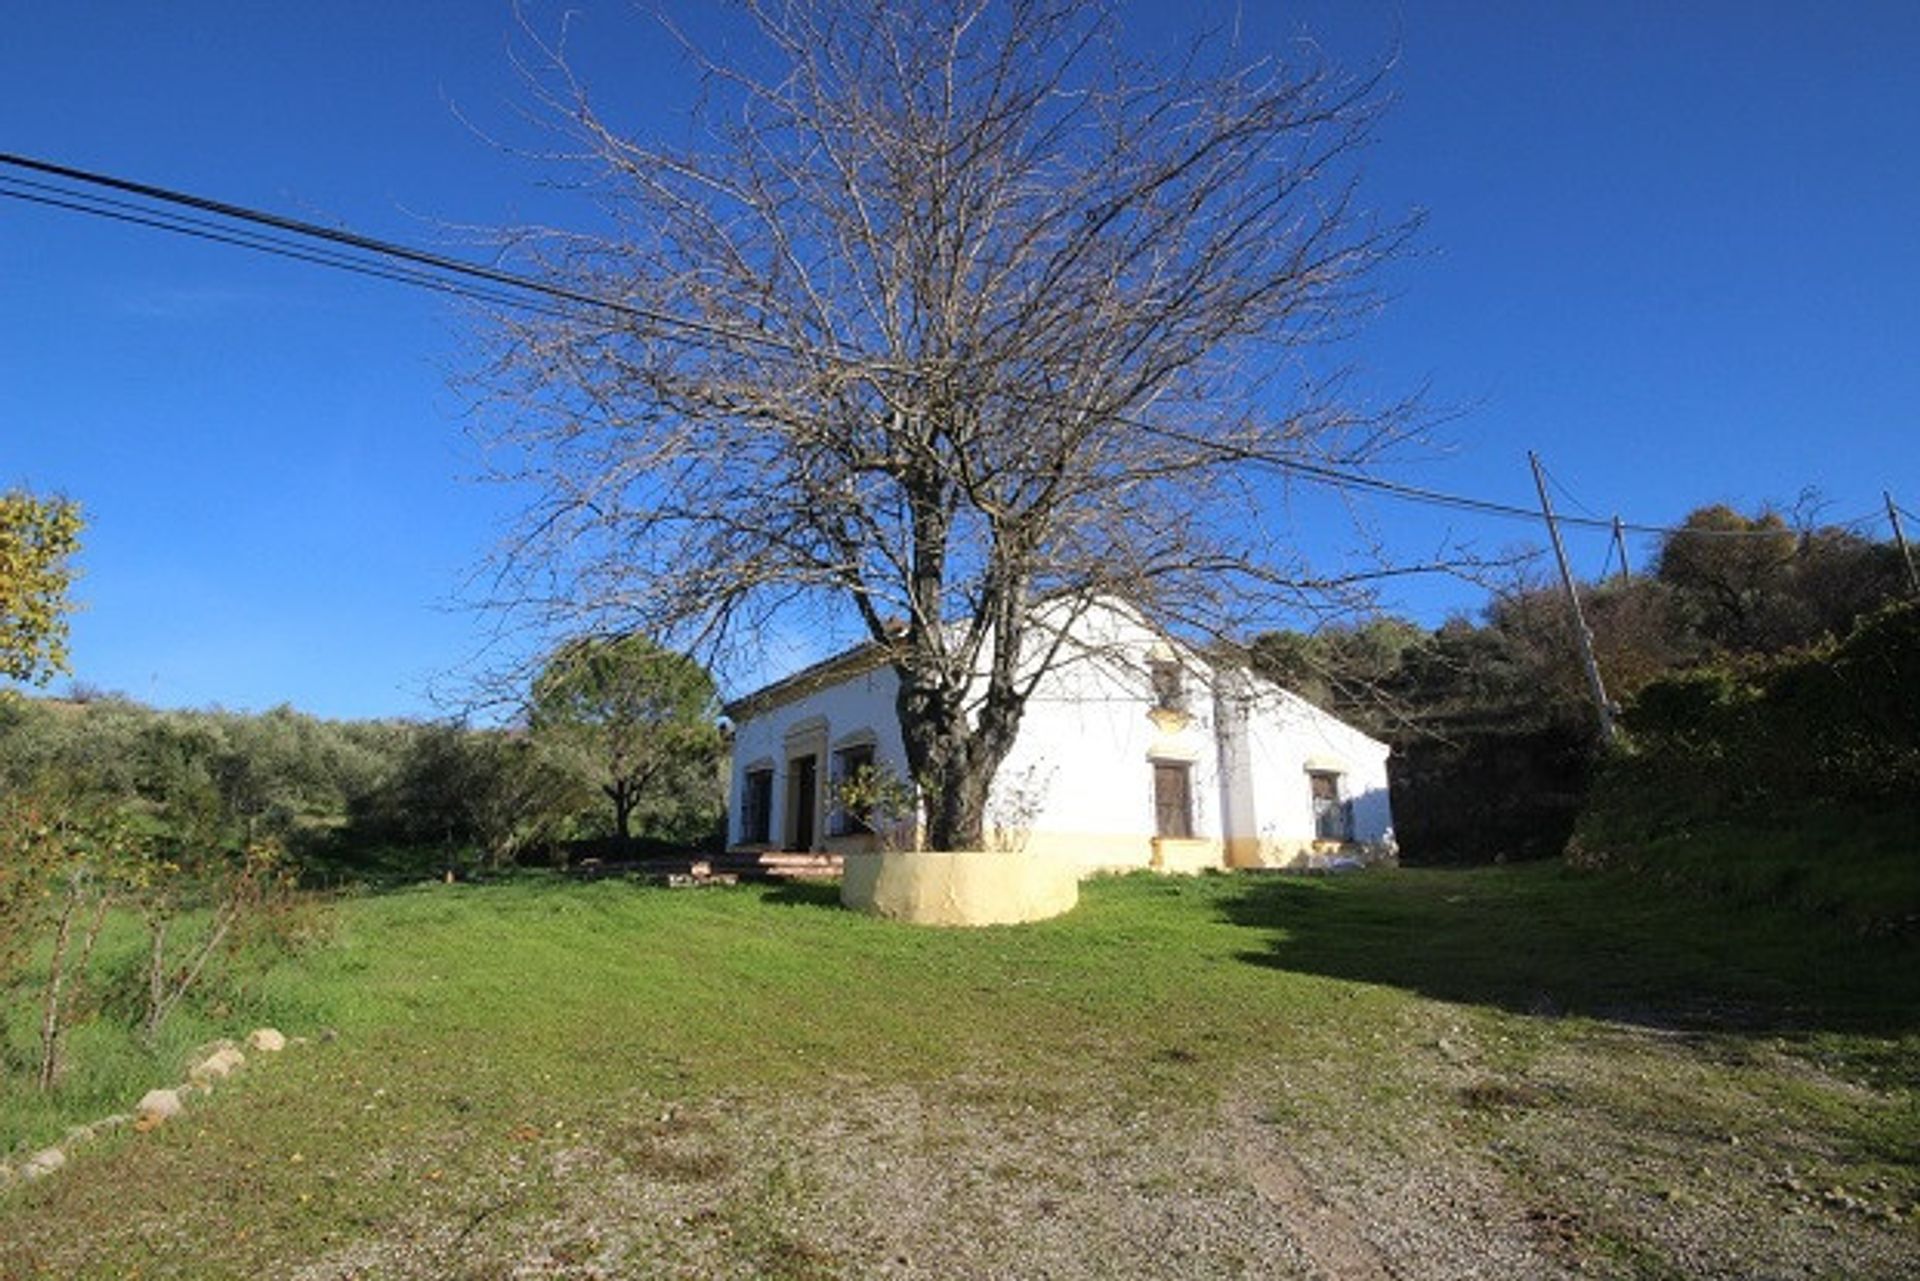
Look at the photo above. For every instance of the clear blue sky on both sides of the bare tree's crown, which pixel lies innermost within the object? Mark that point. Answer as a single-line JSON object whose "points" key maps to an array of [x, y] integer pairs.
{"points": [[1669, 247]]}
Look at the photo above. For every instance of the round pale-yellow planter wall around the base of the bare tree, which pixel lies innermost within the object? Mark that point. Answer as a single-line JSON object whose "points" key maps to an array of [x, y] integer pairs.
{"points": [[959, 888]]}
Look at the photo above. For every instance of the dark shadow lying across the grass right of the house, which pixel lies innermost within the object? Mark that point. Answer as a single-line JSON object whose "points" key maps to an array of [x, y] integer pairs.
{"points": [[1547, 940]]}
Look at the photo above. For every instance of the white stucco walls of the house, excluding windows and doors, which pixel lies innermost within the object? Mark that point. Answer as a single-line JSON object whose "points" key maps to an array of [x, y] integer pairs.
{"points": [[1080, 781]]}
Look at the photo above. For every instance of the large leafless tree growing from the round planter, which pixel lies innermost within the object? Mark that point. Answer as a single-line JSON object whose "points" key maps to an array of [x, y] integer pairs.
{"points": [[948, 310]]}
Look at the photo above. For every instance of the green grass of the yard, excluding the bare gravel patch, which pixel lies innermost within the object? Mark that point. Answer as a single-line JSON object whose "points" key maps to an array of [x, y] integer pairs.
{"points": [[458, 1027]]}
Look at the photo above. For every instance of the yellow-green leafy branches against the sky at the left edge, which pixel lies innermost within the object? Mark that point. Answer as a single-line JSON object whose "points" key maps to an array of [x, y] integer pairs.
{"points": [[37, 535]]}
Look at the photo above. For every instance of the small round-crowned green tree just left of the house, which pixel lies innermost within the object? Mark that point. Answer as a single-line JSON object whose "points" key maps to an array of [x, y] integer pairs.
{"points": [[635, 717]]}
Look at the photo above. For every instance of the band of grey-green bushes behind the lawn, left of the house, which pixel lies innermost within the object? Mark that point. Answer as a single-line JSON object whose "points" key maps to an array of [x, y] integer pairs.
{"points": [[345, 798]]}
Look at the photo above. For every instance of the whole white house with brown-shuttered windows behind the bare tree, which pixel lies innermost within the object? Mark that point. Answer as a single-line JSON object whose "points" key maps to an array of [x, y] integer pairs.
{"points": [[1134, 754]]}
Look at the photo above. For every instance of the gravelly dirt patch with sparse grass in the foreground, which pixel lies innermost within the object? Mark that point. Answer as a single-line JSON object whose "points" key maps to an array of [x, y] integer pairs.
{"points": [[978, 1180]]}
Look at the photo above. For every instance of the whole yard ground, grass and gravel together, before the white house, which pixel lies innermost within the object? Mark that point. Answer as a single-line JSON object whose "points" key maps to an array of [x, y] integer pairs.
{"points": [[1485, 1073]]}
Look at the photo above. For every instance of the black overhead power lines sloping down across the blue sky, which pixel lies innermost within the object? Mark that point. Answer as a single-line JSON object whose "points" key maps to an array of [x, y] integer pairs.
{"points": [[347, 253]]}
